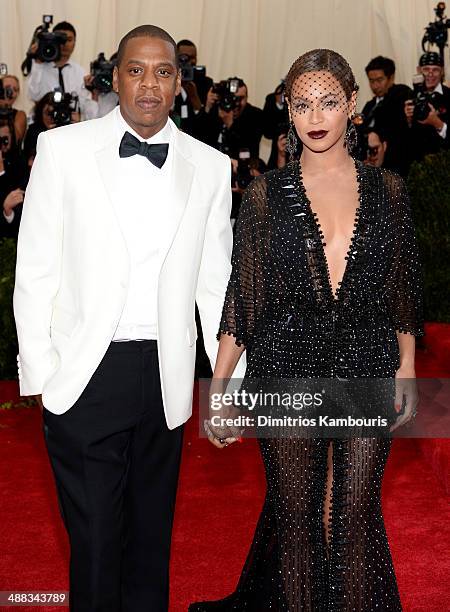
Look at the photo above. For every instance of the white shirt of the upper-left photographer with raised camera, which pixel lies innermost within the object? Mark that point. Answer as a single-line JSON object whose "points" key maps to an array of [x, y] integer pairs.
{"points": [[44, 77]]}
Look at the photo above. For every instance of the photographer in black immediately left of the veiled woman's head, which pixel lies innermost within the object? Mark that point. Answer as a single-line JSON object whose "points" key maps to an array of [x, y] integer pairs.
{"points": [[275, 122]]}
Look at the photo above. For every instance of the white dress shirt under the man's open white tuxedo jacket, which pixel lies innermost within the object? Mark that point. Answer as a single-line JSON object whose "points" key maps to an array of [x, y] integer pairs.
{"points": [[144, 219]]}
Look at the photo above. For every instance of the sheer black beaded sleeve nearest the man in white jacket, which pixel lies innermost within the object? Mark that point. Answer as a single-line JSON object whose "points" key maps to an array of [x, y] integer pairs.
{"points": [[244, 298]]}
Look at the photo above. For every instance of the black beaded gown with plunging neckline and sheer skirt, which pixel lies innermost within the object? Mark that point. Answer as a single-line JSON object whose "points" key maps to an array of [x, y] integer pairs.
{"points": [[280, 305]]}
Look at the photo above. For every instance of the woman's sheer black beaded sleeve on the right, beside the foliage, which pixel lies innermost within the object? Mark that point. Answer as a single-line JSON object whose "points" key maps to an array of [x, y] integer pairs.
{"points": [[404, 286]]}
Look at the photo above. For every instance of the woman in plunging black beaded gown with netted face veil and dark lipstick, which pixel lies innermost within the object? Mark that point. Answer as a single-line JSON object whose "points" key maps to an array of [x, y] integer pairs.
{"points": [[303, 308]]}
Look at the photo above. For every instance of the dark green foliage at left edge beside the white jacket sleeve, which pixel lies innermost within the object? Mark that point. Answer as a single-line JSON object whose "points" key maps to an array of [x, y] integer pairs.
{"points": [[8, 338]]}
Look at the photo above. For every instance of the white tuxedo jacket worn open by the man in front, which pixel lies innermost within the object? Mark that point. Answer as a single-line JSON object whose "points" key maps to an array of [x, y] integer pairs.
{"points": [[73, 266]]}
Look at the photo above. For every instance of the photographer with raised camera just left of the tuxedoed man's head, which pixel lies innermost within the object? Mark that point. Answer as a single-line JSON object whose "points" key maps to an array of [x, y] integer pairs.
{"points": [[99, 83]]}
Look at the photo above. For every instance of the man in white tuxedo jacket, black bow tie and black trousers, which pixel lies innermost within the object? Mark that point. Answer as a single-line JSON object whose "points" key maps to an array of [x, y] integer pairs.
{"points": [[125, 225]]}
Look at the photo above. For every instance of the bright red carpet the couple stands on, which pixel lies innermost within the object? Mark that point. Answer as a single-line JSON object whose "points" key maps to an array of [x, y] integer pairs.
{"points": [[218, 503]]}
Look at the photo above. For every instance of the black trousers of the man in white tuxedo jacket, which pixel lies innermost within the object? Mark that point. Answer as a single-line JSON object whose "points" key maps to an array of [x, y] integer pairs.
{"points": [[116, 467]]}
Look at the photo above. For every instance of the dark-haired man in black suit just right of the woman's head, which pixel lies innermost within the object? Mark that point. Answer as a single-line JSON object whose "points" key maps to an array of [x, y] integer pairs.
{"points": [[385, 110]]}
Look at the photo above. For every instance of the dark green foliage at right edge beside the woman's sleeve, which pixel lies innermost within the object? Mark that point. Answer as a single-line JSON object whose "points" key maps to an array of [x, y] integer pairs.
{"points": [[429, 188]]}
